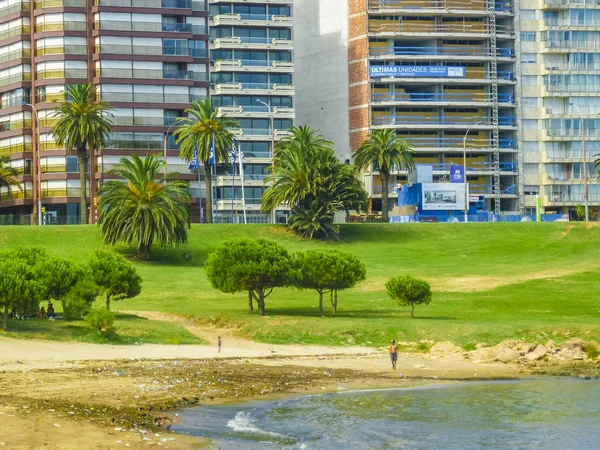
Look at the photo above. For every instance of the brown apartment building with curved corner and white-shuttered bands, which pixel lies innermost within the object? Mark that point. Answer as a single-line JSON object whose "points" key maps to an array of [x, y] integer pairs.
{"points": [[148, 58]]}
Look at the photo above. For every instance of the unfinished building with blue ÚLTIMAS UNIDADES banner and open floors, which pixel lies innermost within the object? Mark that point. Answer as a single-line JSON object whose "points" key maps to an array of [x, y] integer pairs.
{"points": [[434, 71]]}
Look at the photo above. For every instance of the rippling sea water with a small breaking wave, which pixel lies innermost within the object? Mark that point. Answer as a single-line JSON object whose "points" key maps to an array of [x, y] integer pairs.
{"points": [[549, 413]]}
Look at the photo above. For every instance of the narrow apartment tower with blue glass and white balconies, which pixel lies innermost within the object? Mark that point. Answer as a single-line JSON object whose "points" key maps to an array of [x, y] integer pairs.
{"points": [[251, 71]]}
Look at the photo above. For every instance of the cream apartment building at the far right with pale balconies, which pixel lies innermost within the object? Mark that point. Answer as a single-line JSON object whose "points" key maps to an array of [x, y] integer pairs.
{"points": [[560, 64]]}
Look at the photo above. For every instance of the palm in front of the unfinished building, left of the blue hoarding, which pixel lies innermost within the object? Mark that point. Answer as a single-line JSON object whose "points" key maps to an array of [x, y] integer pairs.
{"points": [[383, 149]]}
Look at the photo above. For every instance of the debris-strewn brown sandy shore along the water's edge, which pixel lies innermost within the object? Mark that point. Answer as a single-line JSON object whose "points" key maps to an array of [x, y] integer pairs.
{"points": [[123, 403]]}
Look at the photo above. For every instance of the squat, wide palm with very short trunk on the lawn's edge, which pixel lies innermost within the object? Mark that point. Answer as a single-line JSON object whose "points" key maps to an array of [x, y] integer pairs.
{"points": [[145, 208]]}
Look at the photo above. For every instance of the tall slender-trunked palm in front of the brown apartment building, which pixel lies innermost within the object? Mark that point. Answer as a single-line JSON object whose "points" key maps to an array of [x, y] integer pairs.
{"points": [[83, 125]]}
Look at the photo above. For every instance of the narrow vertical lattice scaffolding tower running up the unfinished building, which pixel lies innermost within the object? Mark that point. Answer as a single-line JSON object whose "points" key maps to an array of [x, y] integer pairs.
{"points": [[495, 113]]}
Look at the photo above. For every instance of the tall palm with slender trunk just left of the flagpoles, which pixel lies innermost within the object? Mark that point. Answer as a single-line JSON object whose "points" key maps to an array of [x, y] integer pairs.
{"points": [[199, 130]]}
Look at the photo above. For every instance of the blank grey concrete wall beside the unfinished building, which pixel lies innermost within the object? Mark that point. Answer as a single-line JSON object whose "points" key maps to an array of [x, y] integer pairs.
{"points": [[321, 69]]}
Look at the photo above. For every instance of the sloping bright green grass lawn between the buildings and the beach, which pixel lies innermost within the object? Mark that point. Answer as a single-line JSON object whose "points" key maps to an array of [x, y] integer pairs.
{"points": [[491, 281]]}
